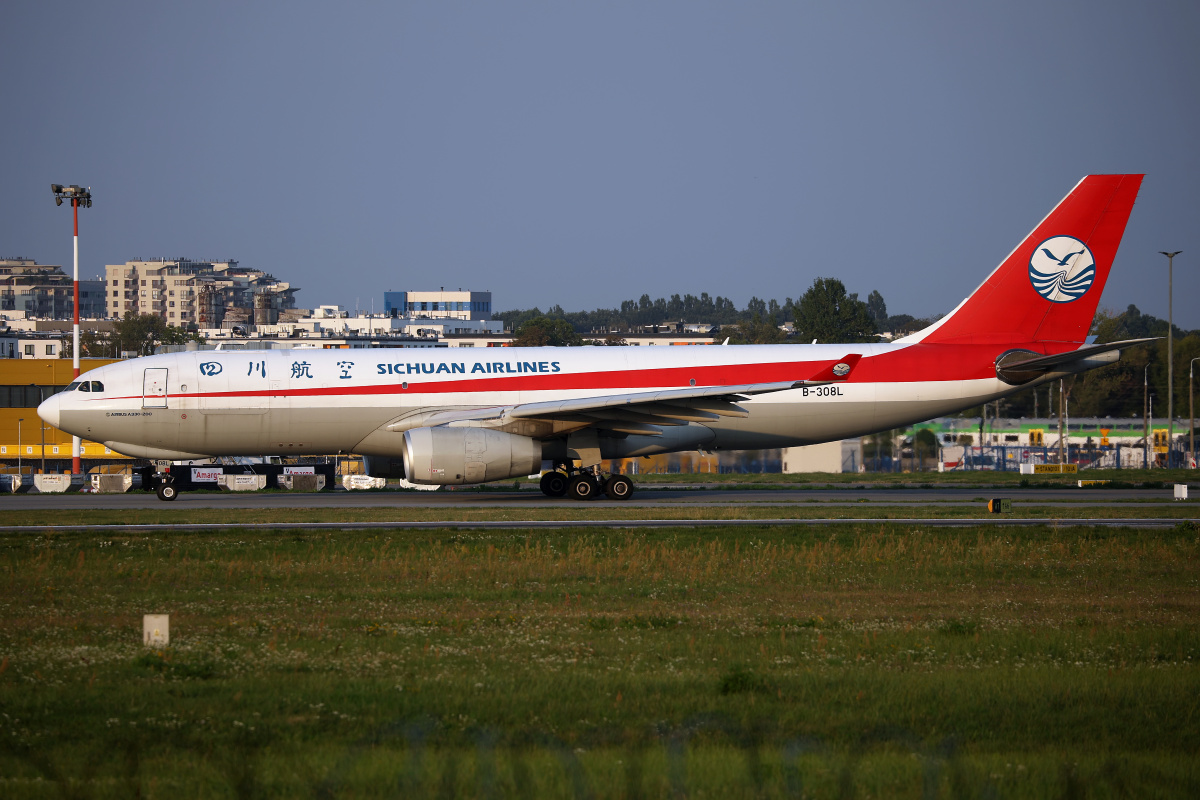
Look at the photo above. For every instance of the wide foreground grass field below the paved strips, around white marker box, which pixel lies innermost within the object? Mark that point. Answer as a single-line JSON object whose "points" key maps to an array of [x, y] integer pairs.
{"points": [[854, 661]]}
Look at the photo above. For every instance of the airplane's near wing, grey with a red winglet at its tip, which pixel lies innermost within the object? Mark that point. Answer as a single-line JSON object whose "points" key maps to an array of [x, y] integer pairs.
{"points": [[639, 413]]}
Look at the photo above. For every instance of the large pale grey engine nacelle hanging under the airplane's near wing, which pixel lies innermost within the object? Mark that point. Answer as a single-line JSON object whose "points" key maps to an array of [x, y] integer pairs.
{"points": [[469, 455]]}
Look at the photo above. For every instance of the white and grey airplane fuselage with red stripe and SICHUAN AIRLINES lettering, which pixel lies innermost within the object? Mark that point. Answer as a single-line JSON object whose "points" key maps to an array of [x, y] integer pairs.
{"points": [[304, 402]]}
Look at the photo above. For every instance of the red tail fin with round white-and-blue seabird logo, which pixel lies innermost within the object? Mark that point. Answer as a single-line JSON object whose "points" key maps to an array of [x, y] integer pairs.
{"points": [[1048, 288]]}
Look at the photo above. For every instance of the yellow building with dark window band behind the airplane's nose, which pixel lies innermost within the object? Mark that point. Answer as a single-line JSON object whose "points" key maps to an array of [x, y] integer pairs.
{"points": [[25, 384]]}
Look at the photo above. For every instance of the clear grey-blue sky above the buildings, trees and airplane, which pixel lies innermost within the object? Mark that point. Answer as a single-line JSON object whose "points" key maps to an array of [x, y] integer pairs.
{"points": [[584, 154]]}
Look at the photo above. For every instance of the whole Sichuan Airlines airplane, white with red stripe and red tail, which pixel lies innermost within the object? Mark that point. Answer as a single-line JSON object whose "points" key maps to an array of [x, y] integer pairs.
{"points": [[460, 417]]}
